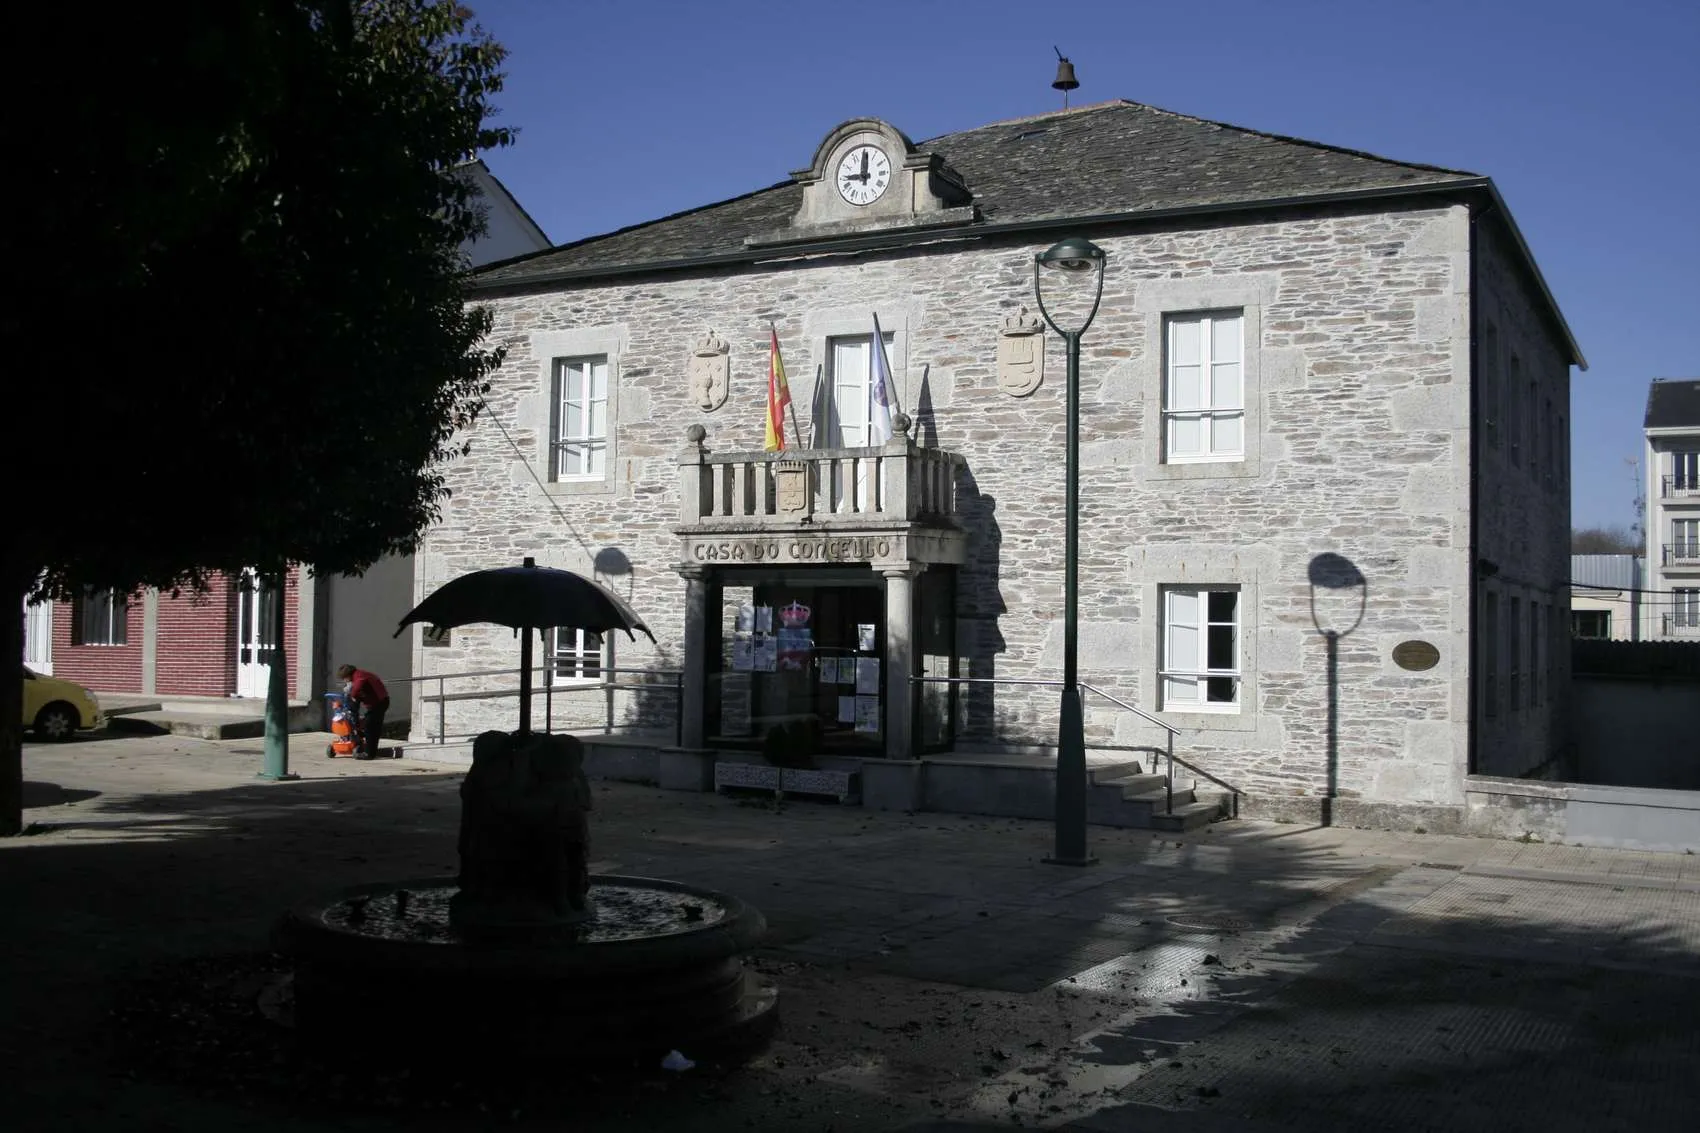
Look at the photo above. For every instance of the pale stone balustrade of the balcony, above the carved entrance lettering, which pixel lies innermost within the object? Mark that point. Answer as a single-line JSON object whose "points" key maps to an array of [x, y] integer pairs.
{"points": [[898, 484]]}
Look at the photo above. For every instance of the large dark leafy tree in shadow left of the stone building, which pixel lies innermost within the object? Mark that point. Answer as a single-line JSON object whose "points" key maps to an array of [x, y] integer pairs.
{"points": [[244, 319]]}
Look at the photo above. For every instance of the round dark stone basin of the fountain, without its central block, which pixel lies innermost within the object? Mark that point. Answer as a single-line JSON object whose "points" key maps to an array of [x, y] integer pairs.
{"points": [[657, 969]]}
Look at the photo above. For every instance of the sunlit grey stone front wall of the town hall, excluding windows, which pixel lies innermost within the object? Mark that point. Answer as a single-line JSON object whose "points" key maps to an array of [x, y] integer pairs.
{"points": [[1357, 447]]}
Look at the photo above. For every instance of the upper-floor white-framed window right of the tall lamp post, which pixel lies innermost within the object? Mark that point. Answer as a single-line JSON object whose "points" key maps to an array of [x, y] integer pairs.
{"points": [[1204, 389]]}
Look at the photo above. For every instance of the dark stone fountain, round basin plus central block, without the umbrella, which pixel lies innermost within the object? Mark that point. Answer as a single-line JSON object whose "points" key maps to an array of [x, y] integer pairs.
{"points": [[526, 957]]}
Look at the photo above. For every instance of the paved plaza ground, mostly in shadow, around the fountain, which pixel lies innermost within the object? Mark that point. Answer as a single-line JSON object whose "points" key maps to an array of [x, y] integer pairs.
{"points": [[934, 972]]}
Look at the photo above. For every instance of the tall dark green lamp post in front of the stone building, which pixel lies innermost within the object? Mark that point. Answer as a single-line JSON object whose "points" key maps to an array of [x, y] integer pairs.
{"points": [[1072, 258]]}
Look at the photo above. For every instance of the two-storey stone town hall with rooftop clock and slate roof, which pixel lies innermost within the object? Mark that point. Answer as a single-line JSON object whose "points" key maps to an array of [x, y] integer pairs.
{"points": [[1323, 413]]}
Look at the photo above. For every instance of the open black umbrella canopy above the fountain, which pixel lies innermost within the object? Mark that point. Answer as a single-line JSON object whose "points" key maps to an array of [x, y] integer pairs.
{"points": [[526, 598]]}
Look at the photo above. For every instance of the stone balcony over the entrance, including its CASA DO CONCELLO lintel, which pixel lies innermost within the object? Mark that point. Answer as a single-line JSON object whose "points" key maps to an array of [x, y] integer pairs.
{"points": [[888, 504]]}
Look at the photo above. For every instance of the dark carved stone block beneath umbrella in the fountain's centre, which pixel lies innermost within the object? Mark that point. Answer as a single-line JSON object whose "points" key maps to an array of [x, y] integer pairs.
{"points": [[524, 834]]}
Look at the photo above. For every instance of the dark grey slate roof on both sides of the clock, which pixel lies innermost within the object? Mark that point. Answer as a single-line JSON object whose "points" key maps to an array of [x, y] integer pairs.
{"points": [[1094, 161]]}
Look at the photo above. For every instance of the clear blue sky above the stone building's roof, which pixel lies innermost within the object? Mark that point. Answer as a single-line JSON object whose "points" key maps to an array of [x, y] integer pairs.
{"points": [[1582, 113]]}
